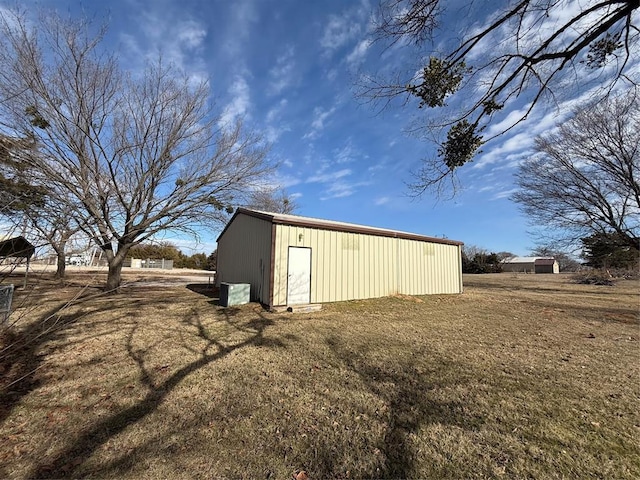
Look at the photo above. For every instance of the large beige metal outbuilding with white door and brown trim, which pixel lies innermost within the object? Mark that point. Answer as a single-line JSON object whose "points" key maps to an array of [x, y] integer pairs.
{"points": [[293, 260]]}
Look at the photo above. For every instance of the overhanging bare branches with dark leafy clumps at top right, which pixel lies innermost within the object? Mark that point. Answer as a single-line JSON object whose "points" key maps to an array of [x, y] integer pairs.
{"points": [[524, 50]]}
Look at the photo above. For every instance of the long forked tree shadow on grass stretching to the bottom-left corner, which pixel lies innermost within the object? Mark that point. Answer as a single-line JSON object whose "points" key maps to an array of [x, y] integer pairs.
{"points": [[69, 462]]}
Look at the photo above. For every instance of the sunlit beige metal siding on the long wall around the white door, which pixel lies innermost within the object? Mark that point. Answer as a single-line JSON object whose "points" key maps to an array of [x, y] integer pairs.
{"points": [[347, 266]]}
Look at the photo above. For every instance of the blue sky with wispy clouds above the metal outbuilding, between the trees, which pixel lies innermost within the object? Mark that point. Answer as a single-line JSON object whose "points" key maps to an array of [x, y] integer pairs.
{"points": [[288, 68]]}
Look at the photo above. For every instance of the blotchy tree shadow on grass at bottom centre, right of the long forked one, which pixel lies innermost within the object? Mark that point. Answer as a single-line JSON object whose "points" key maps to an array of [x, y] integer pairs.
{"points": [[409, 393]]}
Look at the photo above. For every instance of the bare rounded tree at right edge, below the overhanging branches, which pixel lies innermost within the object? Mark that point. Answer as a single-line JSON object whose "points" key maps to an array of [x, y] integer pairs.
{"points": [[585, 178]]}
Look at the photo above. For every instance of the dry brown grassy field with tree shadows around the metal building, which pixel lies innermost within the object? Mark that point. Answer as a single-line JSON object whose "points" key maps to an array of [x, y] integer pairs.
{"points": [[521, 376]]}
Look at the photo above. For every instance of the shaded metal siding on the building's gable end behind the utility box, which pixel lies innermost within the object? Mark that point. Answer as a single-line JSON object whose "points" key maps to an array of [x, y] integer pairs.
{"points": [[244, 255]]}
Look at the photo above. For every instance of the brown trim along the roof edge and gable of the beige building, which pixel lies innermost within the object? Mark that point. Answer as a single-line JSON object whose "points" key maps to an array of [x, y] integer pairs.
{"points": [[335, 226]]}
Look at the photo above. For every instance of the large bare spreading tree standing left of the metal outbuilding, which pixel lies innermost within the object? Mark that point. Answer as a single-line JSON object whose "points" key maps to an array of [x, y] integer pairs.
{"points": [[136, 154]]}
